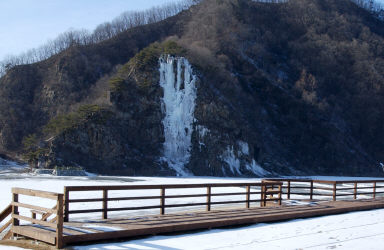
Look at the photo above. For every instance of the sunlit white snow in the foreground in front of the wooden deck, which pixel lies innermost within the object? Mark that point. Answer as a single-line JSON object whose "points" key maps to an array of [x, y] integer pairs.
{"points": [[358, 230]]}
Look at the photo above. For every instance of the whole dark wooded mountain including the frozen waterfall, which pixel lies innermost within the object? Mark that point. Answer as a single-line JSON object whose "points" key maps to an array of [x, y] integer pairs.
{"points": [[225, 88]]}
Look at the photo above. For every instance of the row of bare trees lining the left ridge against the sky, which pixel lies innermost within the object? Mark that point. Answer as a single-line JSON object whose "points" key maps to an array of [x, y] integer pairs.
{"points": [[104, 31]]}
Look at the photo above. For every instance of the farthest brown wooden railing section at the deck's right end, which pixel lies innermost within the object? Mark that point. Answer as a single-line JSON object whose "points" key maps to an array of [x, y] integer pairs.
{"points": [[311, 189]]}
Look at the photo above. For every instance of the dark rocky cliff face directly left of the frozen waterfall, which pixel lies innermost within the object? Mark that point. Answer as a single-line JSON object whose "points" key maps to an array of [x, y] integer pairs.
{"points": [[128, 142]]}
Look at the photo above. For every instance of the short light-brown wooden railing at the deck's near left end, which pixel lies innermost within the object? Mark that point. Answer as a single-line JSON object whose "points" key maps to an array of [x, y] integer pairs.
{"points": [[57, 211]]}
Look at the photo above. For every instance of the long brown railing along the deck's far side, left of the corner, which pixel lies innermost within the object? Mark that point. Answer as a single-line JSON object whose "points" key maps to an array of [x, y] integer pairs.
{"points": [[265, 190]]}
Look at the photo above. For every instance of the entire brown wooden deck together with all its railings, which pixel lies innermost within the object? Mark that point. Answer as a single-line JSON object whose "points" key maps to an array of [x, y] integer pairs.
{"points": [[256, 202]]}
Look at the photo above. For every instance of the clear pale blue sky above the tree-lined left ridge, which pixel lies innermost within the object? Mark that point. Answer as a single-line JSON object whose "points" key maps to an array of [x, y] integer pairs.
{"points": [[26, 24]]}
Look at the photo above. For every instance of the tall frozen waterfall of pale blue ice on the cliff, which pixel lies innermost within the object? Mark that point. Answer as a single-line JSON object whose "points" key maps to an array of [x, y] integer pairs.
{"points": [[178, 103]]}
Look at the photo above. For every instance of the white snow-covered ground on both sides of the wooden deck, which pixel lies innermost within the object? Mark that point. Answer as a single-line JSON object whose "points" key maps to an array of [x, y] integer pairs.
{"points": [[359, 230]]}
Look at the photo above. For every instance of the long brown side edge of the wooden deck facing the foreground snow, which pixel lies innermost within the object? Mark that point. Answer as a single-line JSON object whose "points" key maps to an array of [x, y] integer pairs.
{"points": [[70, 239]]}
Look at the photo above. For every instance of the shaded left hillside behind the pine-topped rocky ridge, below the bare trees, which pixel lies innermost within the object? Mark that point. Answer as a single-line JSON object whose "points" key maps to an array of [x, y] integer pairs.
{"points": [[33, 94]]}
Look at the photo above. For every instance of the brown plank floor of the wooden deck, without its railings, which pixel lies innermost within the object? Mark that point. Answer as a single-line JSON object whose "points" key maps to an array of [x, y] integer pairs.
{"points": [[104, 229]]}
